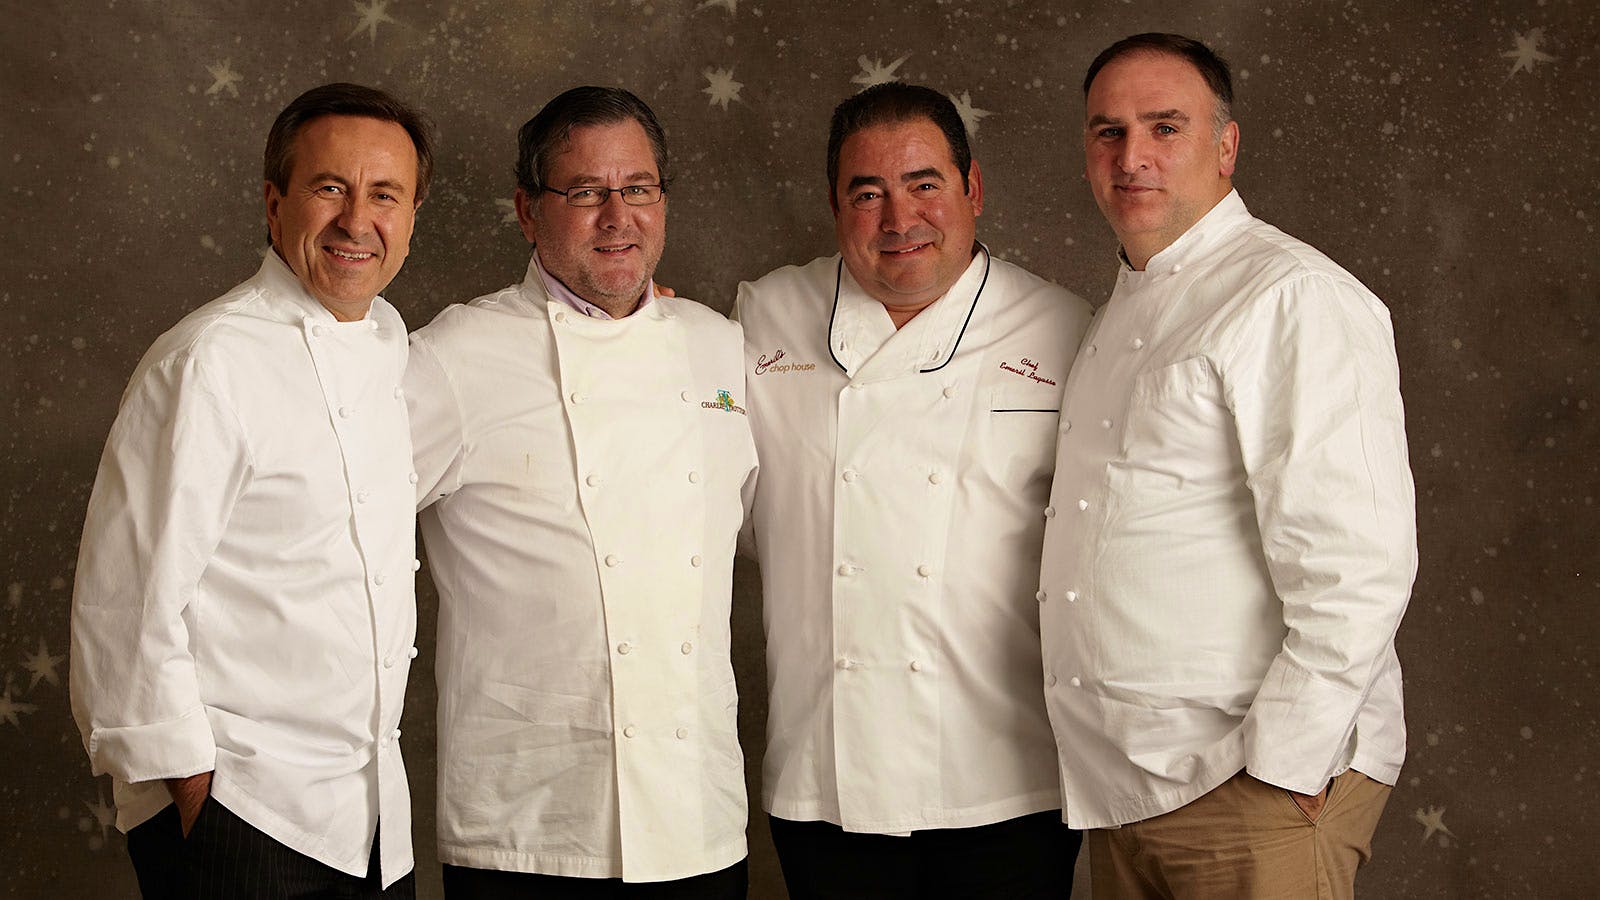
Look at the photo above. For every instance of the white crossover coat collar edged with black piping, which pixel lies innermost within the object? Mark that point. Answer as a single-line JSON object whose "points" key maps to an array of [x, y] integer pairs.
{"points": [[922, 345]]}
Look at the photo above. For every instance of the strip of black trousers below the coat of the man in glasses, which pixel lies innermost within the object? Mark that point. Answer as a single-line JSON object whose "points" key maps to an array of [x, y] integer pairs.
{"points": [[463, 883]]}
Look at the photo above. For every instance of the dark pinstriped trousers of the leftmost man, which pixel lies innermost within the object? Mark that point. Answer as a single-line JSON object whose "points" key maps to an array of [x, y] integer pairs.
{"points": [[225, 856]]}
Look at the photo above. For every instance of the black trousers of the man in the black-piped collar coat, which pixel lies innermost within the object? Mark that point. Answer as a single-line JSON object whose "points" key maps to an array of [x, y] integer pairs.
{"points": [[1020, 859]]}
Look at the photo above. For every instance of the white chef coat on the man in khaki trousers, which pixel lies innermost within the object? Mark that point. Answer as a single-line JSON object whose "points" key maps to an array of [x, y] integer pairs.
{"points": [[1233, 529]]}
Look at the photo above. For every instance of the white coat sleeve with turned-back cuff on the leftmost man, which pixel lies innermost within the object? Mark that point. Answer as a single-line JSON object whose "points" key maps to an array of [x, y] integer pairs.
{"points": [[174, 468]]}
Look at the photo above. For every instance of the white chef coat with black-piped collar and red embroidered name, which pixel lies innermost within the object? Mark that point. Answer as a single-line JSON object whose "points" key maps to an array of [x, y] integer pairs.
{"points": [[898, 529]]}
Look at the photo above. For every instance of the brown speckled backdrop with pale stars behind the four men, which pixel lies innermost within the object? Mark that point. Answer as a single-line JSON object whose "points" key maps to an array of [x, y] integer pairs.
{"points": [[1444, 153]]}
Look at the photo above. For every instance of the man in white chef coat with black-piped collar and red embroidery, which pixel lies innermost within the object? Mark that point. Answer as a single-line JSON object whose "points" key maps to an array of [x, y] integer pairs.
{"points": [[905, 396]]}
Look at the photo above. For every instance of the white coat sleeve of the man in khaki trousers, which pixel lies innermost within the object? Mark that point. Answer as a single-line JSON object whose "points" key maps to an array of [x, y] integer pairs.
{"points": [[1316, 393]]}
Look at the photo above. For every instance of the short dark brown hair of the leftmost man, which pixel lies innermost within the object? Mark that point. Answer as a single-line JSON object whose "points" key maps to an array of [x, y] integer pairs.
{"points": [[343, 98]]}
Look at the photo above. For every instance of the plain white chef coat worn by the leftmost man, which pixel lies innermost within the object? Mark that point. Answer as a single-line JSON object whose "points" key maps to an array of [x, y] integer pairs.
{"points": [[244, 592]]}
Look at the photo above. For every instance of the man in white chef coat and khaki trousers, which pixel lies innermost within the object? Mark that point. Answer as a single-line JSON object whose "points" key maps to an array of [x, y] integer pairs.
{"points": [[1233, 539]]}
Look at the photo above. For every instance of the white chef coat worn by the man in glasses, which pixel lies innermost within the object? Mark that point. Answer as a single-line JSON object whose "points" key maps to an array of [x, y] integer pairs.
{"points": [[582, 481]]}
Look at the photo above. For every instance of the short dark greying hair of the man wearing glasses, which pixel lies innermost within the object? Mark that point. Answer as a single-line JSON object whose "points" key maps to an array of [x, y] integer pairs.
{"points": [[543, 135]]}
